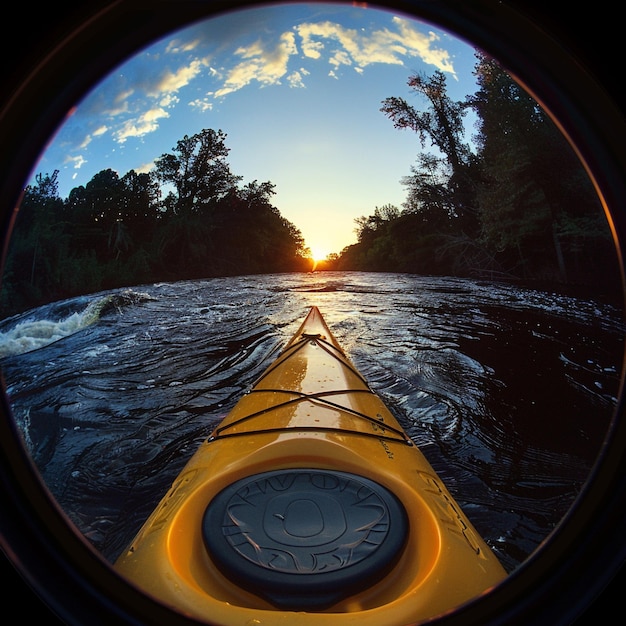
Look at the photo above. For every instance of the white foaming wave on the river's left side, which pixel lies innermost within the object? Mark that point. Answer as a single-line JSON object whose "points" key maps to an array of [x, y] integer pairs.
{"points": [[26, 334]]}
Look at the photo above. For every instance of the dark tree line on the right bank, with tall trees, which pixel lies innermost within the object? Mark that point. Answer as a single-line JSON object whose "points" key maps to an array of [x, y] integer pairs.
{"points": [[518, 205]]}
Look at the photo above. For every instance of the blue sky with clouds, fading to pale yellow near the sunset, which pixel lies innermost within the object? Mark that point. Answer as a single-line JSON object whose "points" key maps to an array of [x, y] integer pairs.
{"points": [[296, 88]]}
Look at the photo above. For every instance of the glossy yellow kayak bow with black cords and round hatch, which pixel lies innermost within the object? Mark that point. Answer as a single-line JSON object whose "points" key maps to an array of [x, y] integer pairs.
{"points": [[310, 505]]}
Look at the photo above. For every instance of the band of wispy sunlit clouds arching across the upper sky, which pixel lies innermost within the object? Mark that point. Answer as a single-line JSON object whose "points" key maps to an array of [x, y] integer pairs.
{"points": [[134, 104]]}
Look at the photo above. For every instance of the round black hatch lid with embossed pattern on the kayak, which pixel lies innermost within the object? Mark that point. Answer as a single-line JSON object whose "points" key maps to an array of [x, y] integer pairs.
{"points": [[304, 538]]}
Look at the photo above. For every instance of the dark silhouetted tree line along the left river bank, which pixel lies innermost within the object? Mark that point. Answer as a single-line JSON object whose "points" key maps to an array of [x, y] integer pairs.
{"points": [[190, 217]]}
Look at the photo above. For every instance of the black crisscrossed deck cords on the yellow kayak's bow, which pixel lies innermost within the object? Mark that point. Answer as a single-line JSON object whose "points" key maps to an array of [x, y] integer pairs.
{"points": [[319, 397]]}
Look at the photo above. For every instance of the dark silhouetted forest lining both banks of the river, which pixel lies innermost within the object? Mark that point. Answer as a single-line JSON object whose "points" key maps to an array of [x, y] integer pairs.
{"points": [[514, 203]]}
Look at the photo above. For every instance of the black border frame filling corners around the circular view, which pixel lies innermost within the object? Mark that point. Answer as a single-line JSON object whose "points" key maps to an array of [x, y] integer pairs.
{"points": [[54, 54]]}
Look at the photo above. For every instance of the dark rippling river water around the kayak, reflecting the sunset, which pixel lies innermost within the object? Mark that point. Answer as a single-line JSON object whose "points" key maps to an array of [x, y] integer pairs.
{"points": [[508, 391]]}
